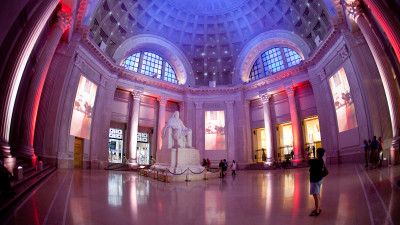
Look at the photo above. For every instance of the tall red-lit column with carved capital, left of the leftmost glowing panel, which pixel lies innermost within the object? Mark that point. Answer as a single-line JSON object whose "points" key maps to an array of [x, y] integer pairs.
{"points": [[36, 85]]}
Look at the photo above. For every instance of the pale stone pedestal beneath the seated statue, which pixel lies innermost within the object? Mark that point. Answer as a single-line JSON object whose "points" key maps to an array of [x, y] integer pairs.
{"points": [[177, 160]]}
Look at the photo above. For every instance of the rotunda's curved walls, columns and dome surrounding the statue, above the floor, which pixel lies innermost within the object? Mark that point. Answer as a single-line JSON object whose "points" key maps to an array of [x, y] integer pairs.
{"points": [[91, 83]]}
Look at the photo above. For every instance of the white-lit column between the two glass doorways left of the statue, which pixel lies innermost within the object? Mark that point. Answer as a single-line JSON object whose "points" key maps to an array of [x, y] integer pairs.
{"points": [[133, 128]]}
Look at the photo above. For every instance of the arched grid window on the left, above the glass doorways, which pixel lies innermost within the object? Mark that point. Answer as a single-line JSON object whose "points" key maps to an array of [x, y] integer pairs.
{"points": [[150, 64]]}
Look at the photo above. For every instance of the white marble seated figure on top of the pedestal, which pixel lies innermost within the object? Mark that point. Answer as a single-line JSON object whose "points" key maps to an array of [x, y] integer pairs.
{"points": [[175, 134]]}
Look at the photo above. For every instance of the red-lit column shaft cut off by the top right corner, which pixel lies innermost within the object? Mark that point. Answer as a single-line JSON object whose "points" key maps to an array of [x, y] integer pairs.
{"points": [[388, 23]]}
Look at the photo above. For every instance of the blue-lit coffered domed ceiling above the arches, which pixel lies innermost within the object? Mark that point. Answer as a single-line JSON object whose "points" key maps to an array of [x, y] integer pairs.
{"points": [[211, 33]]}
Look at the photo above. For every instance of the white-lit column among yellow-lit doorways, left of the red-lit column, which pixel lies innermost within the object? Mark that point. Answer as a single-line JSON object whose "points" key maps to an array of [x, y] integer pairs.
{"points": [[266, 97]]}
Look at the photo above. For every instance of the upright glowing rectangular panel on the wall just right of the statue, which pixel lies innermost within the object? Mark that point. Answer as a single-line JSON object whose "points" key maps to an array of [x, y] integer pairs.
{"points": [[215, 130]]}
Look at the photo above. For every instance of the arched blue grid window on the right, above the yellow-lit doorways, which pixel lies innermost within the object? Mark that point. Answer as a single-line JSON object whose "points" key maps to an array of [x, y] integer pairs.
{"points": [[274, 60]]}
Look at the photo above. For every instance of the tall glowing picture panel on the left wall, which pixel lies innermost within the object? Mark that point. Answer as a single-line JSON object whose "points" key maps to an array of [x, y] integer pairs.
{"points": [[83, 109]]}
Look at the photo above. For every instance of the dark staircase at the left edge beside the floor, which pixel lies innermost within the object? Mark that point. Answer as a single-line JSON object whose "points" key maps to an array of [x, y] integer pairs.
{"points": [[31, 176]]}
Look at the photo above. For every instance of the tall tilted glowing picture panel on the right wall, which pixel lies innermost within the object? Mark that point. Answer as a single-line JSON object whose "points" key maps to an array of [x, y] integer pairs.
{"points": [[344, 105]]}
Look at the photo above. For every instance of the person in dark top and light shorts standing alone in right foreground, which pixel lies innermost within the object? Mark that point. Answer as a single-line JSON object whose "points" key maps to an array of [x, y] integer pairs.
{"points": [[316, 180]]}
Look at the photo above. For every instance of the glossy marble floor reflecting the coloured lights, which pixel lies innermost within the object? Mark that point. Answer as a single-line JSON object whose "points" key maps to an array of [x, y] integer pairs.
{"points": [[350, 194]]}
